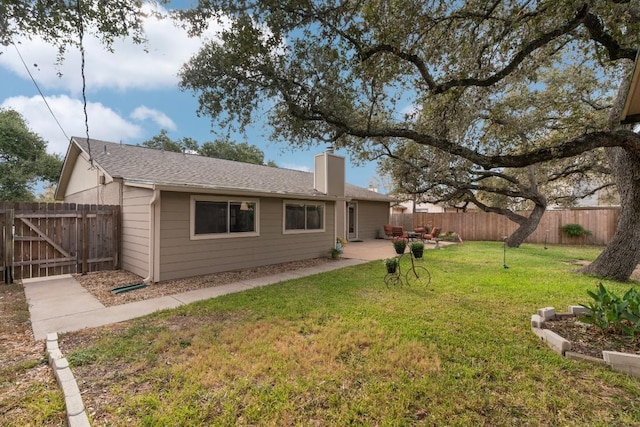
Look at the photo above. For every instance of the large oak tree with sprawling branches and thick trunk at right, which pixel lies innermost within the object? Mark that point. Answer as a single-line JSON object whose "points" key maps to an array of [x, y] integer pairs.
{"points": [[362, 73]]}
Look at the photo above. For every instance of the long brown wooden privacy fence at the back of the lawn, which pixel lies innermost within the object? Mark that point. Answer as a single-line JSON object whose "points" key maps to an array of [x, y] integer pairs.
{"points": [[482, 226]]}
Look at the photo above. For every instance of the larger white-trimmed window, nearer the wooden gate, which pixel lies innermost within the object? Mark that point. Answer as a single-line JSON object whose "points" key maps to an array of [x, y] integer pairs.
{"points": [[215, 217]]}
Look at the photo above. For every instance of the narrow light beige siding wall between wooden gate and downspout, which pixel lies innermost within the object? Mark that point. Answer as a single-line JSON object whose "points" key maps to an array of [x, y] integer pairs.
{"points": [[135, 230]]}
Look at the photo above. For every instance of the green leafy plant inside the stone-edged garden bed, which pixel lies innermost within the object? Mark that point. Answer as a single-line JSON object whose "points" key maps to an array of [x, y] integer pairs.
{"points": [[609, 311]]}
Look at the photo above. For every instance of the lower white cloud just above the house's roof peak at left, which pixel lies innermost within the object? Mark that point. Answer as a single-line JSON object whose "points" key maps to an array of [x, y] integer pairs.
{"points": [[104, 123]]}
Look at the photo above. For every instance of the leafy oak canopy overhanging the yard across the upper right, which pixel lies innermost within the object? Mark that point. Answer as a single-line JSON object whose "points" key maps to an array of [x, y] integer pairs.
{"points": [[350, 73]]}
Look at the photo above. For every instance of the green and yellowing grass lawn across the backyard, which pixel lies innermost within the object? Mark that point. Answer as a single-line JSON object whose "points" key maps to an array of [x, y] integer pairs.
{"points": [[342, 348]]}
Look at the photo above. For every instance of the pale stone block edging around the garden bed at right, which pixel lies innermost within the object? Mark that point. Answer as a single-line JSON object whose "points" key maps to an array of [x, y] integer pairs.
{"points": [[622, 362]]}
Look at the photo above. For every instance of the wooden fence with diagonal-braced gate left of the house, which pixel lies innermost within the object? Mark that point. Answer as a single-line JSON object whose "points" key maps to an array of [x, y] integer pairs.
{"points": [[45, 239]]}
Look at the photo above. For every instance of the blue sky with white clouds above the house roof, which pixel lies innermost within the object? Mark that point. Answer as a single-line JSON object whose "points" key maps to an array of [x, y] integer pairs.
{"points": [[131, 95]]}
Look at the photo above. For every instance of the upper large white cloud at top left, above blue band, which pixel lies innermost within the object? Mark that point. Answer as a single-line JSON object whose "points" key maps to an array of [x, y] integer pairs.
{"points": [[127, 67]]}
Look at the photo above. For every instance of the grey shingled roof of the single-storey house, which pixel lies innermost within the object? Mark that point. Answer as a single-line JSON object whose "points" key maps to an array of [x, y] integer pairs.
{"points": [[141, 165]]}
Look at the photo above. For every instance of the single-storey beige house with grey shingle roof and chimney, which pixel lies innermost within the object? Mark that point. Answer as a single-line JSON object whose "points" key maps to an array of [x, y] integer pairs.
{"points": [[185, 215]]}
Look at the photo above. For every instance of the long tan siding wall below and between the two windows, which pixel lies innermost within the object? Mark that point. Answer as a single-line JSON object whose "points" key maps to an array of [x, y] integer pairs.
{"points": [[182, 257]]}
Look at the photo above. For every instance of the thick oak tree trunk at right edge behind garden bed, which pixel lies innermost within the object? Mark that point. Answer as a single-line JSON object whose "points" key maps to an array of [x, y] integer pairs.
{"points": [[622, 254]]}
